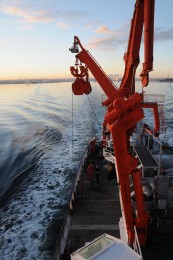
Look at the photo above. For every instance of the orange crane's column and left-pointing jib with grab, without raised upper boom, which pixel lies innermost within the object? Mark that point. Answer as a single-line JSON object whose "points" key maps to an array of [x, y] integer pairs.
{"points": [[121, 118]]}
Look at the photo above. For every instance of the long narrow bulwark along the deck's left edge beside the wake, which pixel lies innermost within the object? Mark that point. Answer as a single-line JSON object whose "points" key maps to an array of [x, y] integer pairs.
{"points": [[61, 241]]}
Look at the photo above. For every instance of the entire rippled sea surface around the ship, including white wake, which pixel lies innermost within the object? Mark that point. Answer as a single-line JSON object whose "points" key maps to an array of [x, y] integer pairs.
{"points": [[38, 159]]}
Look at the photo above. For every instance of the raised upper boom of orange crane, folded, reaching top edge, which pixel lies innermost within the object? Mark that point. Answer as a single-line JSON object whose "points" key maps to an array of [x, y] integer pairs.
{"points": [[143, 16]]}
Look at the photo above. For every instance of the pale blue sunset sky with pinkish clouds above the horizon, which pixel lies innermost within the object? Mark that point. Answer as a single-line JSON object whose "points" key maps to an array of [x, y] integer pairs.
{"points": [[35, 36]]}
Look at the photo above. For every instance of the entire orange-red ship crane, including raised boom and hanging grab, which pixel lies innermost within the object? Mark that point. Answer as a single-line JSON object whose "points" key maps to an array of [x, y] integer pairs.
{"points": [[124, 109]]}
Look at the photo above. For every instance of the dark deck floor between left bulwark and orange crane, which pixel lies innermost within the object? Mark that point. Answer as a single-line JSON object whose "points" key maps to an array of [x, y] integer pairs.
{"points": [[96, 207]]}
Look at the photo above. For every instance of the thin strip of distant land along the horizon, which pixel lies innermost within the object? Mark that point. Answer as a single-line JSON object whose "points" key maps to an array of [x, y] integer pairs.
{"points": [[37, 81]]}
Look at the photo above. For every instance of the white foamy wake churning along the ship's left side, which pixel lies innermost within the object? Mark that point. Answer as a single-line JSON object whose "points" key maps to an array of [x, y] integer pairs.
{"points": [[25, 221]]}
